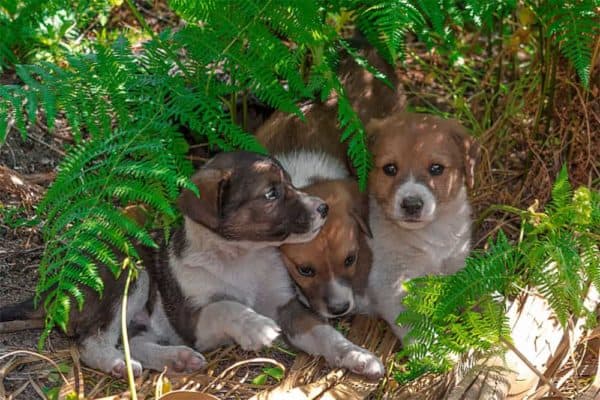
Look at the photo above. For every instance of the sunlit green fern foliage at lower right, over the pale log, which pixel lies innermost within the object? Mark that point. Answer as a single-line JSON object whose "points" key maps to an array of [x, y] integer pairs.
{"points": [[558, 255]]}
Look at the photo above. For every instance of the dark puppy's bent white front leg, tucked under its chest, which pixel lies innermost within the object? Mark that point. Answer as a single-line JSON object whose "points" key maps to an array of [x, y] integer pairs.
{"points": [[221, 321]]}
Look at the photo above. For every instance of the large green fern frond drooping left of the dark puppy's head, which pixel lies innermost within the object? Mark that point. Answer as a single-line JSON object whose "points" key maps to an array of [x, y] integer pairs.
{"points": [[84, 229]]}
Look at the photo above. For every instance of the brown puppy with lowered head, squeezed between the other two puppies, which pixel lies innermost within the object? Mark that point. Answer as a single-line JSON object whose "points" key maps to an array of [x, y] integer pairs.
{"points": [[332, 269]]}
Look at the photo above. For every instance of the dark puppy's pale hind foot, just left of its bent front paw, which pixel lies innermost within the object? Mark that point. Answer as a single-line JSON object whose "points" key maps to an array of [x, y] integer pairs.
{"points": [[146, 348]]}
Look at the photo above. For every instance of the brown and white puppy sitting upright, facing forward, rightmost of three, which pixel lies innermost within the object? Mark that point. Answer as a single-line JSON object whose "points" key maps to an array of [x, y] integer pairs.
{"points": [[419, 211]]}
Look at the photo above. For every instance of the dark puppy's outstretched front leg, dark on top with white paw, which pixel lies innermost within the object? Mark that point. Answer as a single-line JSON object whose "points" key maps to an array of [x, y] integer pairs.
{"points": [[314, 336]]}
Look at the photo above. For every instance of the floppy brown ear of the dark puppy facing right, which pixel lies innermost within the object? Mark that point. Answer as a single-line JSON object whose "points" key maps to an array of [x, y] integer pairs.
{"points": [[207, 208]]}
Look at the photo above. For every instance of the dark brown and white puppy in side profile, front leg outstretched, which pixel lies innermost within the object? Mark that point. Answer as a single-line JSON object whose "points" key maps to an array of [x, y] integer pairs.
{"points": [[223, 278]]}
